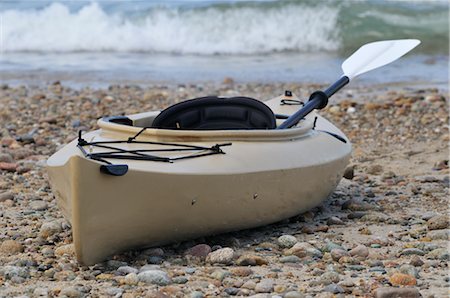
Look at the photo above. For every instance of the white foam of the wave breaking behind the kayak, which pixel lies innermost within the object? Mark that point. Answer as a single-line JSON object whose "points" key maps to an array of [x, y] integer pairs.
{"points": [[233, 30]]}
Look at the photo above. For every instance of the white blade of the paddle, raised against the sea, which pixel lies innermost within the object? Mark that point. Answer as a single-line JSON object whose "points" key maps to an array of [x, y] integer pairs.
{"points": [[376, 54]]}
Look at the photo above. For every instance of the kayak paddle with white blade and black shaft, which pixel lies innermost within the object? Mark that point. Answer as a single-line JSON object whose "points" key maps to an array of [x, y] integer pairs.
{"points": [[366, 58]]}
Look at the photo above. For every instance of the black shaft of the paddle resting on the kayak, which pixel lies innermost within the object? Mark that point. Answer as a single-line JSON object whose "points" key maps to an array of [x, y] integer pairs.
{"points": [[317, 100]]}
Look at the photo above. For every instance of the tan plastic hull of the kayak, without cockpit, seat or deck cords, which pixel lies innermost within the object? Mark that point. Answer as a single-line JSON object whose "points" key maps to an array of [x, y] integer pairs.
{"points": [[252, 184]]}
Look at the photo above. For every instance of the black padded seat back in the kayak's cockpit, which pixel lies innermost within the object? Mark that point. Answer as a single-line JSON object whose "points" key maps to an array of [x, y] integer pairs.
{"points": [[216, 113]]}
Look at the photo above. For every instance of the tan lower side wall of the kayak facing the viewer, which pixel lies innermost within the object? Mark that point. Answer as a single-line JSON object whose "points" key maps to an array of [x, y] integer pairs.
{"points": [[143, 209]]}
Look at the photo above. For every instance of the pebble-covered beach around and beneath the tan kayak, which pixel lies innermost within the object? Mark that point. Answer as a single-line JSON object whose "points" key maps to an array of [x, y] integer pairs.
{"points": [[383, 233]]}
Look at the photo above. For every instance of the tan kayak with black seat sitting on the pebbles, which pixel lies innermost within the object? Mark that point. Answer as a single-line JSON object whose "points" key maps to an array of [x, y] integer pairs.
{"points": [[202, 167]]}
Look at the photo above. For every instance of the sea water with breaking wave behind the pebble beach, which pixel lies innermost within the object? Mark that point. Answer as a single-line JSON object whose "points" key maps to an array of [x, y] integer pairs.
{"points": [[102, 42]]}
